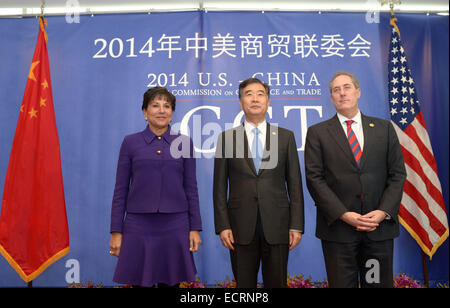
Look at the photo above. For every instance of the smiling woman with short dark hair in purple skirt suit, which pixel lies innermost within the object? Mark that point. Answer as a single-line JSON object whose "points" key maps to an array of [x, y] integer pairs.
{"points": [[155, 215]]}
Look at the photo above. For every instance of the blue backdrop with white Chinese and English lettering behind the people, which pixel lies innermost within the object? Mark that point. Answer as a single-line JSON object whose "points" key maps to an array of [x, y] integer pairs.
{"points": [[101, 66]]}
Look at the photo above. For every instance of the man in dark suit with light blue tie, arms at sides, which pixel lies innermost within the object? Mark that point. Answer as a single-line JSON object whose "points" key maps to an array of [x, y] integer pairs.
{"points": [[258, 196]]}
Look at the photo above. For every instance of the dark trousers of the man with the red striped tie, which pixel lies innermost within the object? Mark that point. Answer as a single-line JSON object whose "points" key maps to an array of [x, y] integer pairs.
{"points": [[368, 262]]}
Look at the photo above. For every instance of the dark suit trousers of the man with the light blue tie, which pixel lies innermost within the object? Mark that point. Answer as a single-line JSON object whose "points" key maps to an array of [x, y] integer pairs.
{"points": [[245, 261]]}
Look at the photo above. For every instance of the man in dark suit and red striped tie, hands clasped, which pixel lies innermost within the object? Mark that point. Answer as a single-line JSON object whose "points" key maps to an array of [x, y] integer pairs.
{"points": [[355, 174]]}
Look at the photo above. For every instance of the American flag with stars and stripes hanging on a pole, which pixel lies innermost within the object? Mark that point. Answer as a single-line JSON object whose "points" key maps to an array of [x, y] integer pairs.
{"points": [[422, 210]]}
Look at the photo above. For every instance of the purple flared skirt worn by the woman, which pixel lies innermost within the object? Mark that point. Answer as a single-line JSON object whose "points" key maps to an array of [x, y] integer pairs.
{"points": [[155, 249]]}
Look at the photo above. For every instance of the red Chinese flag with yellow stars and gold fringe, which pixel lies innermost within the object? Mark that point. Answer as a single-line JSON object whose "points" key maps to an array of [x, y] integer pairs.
{"points": [[33, 221]]}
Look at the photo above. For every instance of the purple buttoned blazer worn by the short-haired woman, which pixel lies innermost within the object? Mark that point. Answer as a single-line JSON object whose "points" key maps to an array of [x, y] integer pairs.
{"points": [[155, 174]]}
